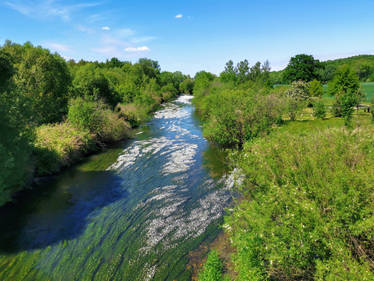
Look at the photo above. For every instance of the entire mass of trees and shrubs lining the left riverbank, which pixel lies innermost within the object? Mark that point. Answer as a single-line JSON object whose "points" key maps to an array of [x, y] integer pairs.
{"points": [[52, 112]]}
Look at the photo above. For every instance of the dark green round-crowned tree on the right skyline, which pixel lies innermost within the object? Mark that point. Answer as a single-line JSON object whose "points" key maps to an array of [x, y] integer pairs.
{"points": [[301, 67]]}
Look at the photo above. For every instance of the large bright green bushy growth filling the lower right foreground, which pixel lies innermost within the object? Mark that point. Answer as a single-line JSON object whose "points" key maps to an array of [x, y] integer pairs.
{"points": [[307, 207]]}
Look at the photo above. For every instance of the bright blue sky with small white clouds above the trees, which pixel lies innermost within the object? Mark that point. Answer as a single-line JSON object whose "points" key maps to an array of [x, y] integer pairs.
{"points": [[192, 35]]}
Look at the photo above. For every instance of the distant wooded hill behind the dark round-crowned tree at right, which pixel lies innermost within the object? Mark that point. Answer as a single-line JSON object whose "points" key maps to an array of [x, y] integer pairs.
{"points": [[363, 65]]}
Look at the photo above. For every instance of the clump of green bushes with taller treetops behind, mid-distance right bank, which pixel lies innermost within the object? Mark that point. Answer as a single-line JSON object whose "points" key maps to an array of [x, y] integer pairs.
{"points": [[237, 106]]}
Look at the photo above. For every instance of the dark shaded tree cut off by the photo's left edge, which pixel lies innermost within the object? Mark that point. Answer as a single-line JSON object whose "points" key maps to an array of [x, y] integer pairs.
{"points": [[15, 150]]}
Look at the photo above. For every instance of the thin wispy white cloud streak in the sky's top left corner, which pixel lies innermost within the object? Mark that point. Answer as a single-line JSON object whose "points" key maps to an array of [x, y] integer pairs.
{"points": [[47, 8]]}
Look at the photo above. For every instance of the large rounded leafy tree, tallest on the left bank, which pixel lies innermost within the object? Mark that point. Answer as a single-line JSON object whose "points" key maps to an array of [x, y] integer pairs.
{"points": [[43, 78]]}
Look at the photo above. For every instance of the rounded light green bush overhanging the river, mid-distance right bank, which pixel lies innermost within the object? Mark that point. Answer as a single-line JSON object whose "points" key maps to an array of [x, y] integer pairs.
{"points": [[237, 116]]}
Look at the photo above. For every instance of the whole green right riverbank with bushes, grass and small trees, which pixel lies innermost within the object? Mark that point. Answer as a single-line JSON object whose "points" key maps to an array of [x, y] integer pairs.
{"points": [[306, 195]]}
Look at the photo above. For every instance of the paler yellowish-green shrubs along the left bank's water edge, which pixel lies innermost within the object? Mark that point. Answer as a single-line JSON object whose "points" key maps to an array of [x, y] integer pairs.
{"points": [[59, 146]]}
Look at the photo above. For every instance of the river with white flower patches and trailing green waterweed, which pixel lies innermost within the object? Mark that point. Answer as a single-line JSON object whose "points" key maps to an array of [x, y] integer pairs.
{"points": [[133, 212]]}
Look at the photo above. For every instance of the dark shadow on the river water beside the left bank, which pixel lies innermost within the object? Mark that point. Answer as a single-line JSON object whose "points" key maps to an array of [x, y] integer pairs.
{"points": [[57, 210]]}
